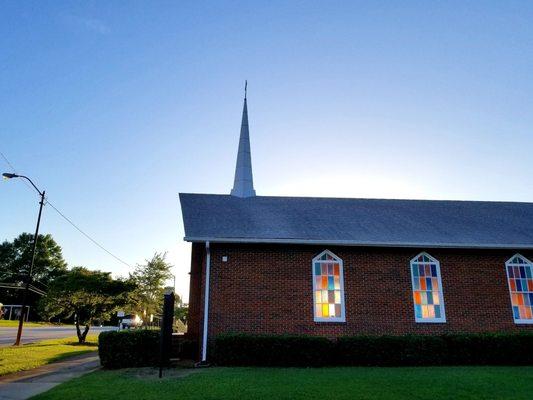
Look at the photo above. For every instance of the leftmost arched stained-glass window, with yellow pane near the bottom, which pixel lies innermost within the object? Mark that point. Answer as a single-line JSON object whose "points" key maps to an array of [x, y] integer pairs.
{"points": [[328, 288]]}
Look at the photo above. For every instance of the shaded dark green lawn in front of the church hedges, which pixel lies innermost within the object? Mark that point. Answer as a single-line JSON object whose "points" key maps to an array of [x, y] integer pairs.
{"points": [[315, 383]]}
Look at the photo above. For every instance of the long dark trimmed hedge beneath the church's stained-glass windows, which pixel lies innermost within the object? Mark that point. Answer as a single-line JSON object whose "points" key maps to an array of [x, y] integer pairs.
{"points": [[409, 350]]}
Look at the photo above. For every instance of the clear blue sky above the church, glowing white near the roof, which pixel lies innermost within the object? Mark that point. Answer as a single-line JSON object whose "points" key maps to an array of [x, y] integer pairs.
{"points": [[115, 108]]}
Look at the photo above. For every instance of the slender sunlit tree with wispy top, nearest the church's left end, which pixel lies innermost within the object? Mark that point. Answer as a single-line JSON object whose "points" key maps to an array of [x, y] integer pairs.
{"points": [[150, 280]]}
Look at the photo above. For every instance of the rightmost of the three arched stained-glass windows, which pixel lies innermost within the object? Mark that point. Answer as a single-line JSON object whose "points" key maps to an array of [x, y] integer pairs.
{"points": [[519, 277]]}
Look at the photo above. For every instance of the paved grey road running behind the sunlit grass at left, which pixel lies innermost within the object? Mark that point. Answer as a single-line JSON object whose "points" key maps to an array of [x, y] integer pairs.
{"points": [[29, 335]]}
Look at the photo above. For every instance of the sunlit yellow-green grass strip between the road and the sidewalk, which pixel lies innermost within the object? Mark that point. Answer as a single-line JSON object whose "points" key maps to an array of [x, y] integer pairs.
{"points": [[13, 359]]}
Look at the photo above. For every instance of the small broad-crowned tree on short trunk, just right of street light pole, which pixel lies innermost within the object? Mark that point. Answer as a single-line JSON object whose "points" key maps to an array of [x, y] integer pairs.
{"points": [[87, 295]]}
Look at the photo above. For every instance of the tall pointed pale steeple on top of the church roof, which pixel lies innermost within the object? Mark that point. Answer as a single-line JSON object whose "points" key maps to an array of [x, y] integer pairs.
{"points": [[243, 185]]}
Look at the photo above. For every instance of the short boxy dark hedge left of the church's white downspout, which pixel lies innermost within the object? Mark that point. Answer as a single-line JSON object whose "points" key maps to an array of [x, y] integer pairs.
{"points": [[131, 348]]}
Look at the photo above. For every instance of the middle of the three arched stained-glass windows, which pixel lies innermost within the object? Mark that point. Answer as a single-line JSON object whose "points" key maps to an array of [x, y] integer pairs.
{"points": [[427, 289]]}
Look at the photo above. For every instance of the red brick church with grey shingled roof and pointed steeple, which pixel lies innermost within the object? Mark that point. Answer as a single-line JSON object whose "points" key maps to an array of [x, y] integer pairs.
{"points": [[338, 266]]}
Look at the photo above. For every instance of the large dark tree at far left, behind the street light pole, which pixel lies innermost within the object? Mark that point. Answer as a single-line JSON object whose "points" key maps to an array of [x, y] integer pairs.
{"points": [[15, 261]]}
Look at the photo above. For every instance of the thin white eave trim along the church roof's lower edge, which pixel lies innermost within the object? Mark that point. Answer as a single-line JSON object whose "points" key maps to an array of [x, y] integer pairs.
{"points": [[360, 243]]}
